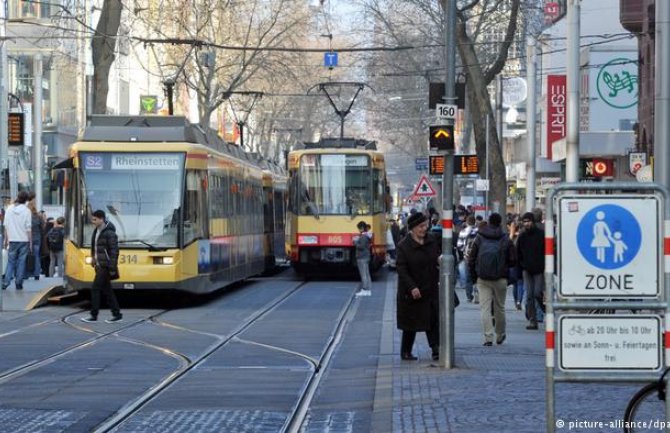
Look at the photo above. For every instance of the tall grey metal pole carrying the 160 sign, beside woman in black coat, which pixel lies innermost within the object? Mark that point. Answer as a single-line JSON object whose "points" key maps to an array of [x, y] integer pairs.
{"points": [[447, 260]]}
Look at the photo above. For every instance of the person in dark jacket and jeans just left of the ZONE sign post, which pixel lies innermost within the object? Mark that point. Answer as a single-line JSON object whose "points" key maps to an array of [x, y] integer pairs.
{"points": [[530, 255]]}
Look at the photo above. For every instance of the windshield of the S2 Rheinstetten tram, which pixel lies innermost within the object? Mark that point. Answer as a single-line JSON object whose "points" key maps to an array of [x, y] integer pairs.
{"points": [[139, 192]]}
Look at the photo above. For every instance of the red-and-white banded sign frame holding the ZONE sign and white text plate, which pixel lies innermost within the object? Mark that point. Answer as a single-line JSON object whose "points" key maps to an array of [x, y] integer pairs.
{"points": [[617, 263]]}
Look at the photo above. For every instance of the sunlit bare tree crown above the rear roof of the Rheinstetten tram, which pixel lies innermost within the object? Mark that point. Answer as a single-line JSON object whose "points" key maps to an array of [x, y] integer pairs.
{"points": [[218, 67]]}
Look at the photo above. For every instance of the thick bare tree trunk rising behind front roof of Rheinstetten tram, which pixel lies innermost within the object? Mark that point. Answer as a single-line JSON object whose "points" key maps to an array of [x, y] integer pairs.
{"points": [[103, 49]]}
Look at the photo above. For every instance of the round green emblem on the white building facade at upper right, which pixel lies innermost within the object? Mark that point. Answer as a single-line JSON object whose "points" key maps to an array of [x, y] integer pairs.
{"points": [[617, 83]]}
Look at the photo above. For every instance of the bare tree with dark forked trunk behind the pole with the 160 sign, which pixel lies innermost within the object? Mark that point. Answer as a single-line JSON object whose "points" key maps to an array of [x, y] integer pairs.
{"points": [[485, 32]]}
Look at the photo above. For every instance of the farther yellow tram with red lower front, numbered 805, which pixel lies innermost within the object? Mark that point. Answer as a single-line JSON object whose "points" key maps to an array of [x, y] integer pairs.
{"points": [[333, 185]]}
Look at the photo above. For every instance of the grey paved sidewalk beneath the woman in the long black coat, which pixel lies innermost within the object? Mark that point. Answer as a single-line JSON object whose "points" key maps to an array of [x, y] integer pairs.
{"points": [[494, 389]]}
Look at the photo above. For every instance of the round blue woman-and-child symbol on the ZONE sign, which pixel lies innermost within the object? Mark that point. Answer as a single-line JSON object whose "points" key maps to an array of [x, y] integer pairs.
{"points": [[609, 236]]}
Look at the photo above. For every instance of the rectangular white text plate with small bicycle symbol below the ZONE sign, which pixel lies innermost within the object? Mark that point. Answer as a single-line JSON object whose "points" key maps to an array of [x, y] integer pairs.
{"points": [[609, 342]]}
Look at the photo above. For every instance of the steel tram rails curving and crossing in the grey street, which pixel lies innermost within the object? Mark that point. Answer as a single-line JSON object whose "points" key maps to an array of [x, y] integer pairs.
{"points": [[294, 415]]}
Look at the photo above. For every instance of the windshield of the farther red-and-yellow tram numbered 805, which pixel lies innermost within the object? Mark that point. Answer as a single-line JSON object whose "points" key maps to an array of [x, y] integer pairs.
{"points": [[335, 184]]}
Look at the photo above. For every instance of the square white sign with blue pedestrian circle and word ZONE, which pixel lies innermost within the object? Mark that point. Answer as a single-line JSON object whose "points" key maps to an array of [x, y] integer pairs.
{"points": [[609, 246]]}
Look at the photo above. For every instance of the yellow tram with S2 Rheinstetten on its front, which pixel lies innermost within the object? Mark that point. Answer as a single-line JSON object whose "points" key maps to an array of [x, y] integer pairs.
{"points": [[192, 213]]}
